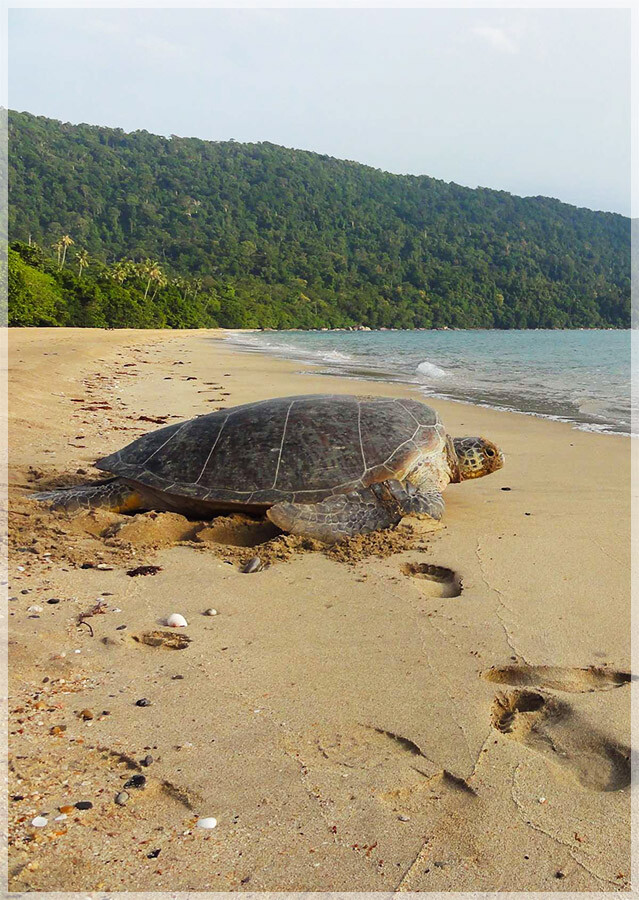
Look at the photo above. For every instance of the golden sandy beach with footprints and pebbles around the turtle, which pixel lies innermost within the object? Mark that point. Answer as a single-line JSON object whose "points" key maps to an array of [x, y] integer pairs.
{"points": [[436, 711]]}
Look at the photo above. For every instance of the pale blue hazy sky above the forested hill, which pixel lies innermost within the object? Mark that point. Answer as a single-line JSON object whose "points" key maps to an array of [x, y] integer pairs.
{"points": [[531, 101]]}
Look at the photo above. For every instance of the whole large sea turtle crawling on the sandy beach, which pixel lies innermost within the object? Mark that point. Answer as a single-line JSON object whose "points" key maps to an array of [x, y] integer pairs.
{"points": [[326, 466]]}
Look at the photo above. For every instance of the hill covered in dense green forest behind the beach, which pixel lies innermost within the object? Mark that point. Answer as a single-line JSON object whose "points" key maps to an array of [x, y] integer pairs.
{"points": [[279, 238]]}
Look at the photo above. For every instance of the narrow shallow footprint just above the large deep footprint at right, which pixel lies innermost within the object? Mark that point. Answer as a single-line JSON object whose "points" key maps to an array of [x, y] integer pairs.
{"points": [[557, 678]]}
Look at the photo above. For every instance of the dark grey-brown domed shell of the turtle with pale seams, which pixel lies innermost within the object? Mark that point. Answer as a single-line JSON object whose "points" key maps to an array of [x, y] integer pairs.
{"points": [[299, 449]]}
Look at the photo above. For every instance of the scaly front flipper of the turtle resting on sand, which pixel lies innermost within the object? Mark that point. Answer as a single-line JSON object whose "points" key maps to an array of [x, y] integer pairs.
{"points": [[345, 515]]}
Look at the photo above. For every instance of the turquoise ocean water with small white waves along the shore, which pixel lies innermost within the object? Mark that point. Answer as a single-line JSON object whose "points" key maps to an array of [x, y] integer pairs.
{"points": [[581, 377]]}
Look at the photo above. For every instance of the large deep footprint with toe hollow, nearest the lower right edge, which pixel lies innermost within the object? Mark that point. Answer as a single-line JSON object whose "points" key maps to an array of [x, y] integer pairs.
{"points": [[549, 726]]}
